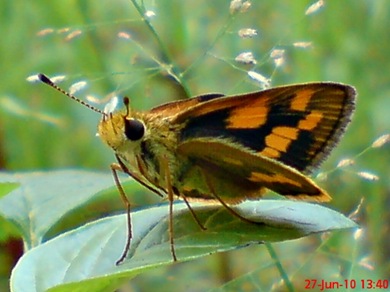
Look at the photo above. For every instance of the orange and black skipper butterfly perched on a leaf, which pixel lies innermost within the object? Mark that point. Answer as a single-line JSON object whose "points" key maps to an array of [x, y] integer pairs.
{"points": [[227, 148]]}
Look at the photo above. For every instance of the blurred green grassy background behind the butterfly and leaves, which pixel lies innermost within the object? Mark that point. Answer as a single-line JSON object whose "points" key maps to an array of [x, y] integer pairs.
{"points": [[198, 41]]}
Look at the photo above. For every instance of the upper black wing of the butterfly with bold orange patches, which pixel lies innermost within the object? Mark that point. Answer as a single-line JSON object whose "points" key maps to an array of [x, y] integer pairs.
{"points": [[297, 125]]}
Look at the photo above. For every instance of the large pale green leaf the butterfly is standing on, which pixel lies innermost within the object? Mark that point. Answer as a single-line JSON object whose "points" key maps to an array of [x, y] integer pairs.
{"points": [[84, 259]]}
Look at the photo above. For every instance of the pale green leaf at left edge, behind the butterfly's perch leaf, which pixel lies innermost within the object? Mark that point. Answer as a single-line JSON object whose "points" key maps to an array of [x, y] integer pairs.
{"points": [[45, 197]]}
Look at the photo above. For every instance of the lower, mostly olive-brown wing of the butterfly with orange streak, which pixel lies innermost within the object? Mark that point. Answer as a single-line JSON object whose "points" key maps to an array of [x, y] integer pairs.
{"points": [[236, 174]]}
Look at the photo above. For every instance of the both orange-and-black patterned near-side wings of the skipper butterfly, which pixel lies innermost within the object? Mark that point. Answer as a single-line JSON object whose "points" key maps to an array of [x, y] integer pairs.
{"points": [[269, 139]]}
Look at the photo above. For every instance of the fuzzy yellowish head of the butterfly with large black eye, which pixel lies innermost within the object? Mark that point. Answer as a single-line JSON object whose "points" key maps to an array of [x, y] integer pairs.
{"points": [[118, 128]]}
